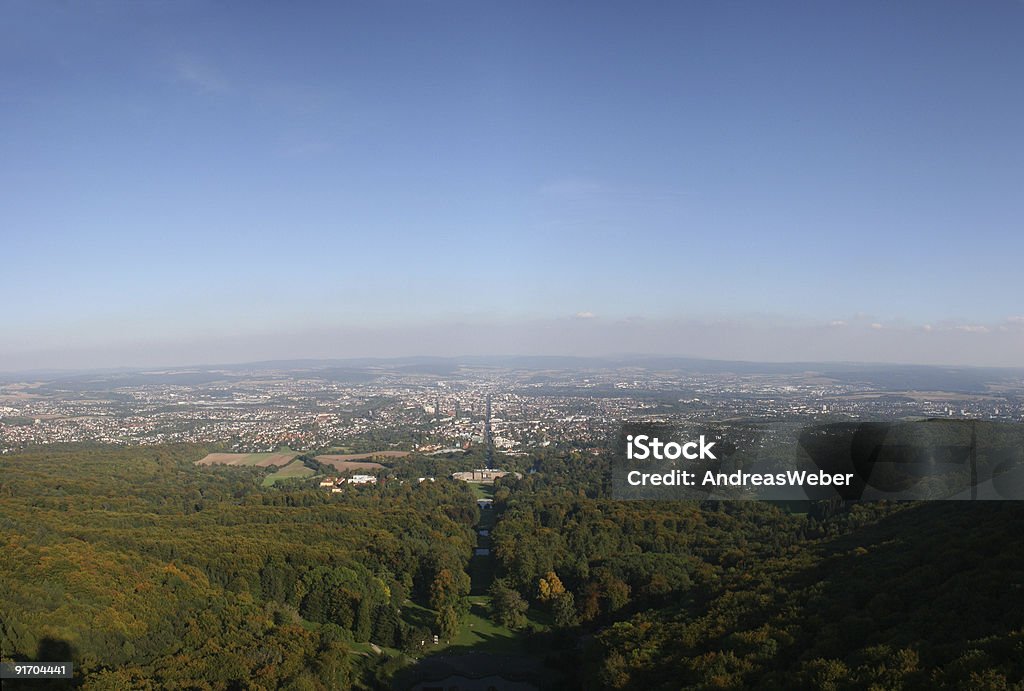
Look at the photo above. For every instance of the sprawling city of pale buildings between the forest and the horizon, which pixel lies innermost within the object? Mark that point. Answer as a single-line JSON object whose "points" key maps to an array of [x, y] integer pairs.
{"points": [[262, 410]]}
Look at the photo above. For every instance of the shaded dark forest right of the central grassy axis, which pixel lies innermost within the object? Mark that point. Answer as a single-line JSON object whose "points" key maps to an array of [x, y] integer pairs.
{"points": [[753, 595]]}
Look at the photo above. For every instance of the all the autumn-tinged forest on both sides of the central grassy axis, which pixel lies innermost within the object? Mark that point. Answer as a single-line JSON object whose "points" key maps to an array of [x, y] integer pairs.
{"points": [[151, 572]]}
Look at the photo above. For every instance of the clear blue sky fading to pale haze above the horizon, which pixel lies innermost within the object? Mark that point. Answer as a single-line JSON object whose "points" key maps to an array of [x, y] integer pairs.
{"points": [[192, 182]]}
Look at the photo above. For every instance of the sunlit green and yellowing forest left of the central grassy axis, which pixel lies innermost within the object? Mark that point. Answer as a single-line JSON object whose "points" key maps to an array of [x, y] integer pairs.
{"points": [[153, 571]]}
